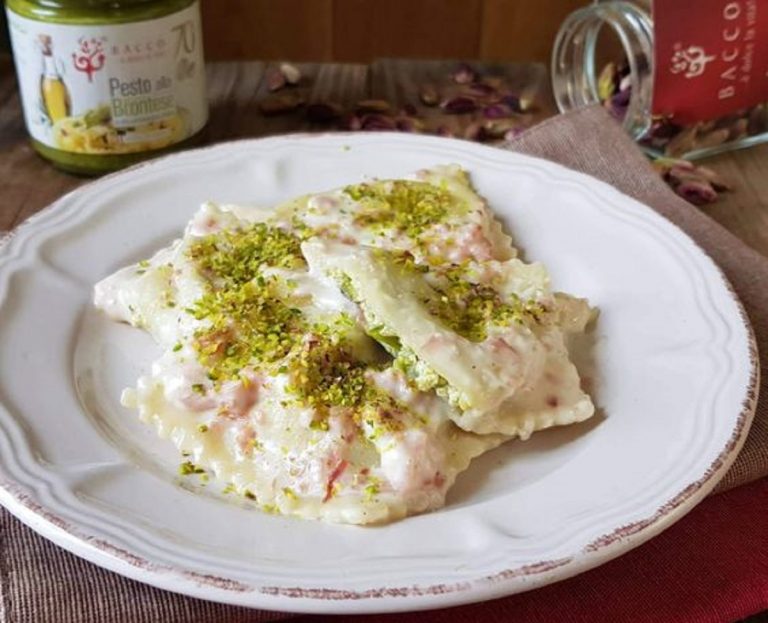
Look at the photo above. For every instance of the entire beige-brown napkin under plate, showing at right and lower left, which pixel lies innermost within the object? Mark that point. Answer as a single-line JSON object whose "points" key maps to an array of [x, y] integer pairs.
{"points": [[41, 583]]}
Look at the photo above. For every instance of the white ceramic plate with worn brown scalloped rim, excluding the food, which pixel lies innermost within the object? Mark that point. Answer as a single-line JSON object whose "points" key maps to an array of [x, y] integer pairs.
{"points": [[674, 377]]}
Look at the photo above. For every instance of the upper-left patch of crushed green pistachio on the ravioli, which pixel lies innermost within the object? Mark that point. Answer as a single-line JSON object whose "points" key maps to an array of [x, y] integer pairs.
{"points": [[234, 257]]}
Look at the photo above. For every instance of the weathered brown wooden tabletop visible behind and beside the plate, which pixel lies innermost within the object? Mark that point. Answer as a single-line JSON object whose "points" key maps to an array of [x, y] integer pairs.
{"points": [[28, 183]]}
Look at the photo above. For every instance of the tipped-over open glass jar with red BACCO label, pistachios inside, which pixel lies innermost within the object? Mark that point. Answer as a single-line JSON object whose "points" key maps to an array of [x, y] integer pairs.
{"points": [[692, 83]]}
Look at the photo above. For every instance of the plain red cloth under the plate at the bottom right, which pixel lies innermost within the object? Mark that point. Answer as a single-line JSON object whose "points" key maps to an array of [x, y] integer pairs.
{"points": [[710, 567]]}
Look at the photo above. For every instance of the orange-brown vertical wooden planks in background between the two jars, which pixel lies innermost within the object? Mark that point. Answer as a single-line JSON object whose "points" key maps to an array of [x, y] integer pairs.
{"points": [[359, 31]]}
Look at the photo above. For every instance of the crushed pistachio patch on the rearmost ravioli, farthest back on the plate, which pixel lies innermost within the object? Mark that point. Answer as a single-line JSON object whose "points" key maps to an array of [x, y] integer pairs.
{"points": [[405, 206]]}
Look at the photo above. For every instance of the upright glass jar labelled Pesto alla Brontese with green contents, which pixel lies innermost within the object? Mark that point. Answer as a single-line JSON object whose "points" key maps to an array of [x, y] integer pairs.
{"points": [[107, 83]]}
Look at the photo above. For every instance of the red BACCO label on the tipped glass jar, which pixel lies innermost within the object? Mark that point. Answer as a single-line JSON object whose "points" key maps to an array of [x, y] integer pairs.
{"points": [[710, 57]]}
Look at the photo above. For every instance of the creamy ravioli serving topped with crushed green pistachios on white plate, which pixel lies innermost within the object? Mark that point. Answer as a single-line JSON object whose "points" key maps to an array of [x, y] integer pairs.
{"points": [[345, 355]]}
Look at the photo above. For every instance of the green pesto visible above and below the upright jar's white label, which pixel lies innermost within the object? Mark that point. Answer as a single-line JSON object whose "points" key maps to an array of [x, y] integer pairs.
{"points": [[107, 13]]}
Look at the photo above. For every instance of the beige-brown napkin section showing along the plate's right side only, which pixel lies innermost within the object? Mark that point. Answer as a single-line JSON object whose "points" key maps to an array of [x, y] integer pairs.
{"points": [[588, 140]]}
